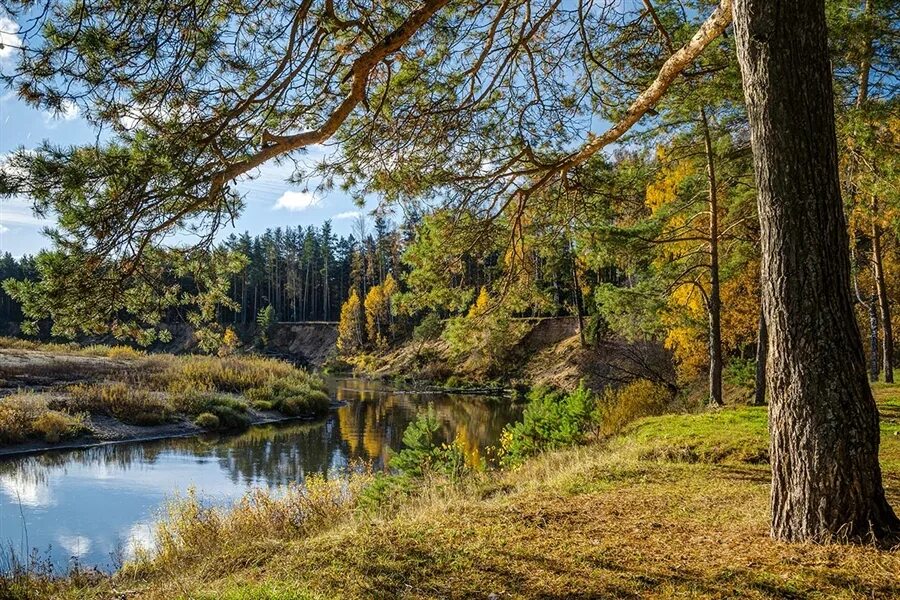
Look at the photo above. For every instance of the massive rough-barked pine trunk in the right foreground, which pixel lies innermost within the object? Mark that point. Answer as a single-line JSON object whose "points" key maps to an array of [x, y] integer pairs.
{"points": [[826, 479]]}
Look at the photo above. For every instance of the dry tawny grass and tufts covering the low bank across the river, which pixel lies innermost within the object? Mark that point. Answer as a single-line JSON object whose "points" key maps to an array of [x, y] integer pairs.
{"points": [[142, 389]]}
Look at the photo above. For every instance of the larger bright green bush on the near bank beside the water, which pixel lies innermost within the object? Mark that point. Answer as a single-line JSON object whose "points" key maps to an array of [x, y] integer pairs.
{"points": [[551, 420]]}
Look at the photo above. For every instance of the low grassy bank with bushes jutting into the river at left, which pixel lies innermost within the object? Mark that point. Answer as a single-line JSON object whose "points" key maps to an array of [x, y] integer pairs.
{"points": [[54, 399]]}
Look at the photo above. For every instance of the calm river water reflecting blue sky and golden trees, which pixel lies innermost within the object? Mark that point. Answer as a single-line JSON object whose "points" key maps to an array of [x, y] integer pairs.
{"points": [[95, 506]]}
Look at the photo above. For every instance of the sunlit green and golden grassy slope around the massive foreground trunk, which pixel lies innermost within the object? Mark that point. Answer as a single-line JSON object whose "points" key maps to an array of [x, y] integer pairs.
{"points": [[675, 507]]}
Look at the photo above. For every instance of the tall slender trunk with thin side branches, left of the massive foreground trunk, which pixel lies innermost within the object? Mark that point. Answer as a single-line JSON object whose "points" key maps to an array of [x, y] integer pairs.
{"points": [[714, 301]]}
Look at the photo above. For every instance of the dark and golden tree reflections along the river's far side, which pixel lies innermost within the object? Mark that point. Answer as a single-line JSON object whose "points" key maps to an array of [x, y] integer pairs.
{"points": [[372, 421]]}
